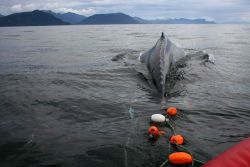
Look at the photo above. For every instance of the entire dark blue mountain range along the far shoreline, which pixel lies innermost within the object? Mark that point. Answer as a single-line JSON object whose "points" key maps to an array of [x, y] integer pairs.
{"points": [[41, 18]]}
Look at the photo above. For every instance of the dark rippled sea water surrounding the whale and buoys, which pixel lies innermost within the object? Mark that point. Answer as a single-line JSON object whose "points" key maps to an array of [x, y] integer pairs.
{"points": [[64, 102]]}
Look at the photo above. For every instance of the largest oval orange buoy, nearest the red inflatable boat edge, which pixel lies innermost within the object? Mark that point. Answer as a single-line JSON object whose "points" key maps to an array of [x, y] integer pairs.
{"points": [[180, 158]]}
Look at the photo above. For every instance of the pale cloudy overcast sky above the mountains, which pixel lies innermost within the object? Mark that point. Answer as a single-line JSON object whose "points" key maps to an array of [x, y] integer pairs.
{"points": [[216, 10]]}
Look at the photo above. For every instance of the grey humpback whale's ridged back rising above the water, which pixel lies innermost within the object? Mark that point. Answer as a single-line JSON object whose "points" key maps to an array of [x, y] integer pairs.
{"points": [[159, 59]]}
